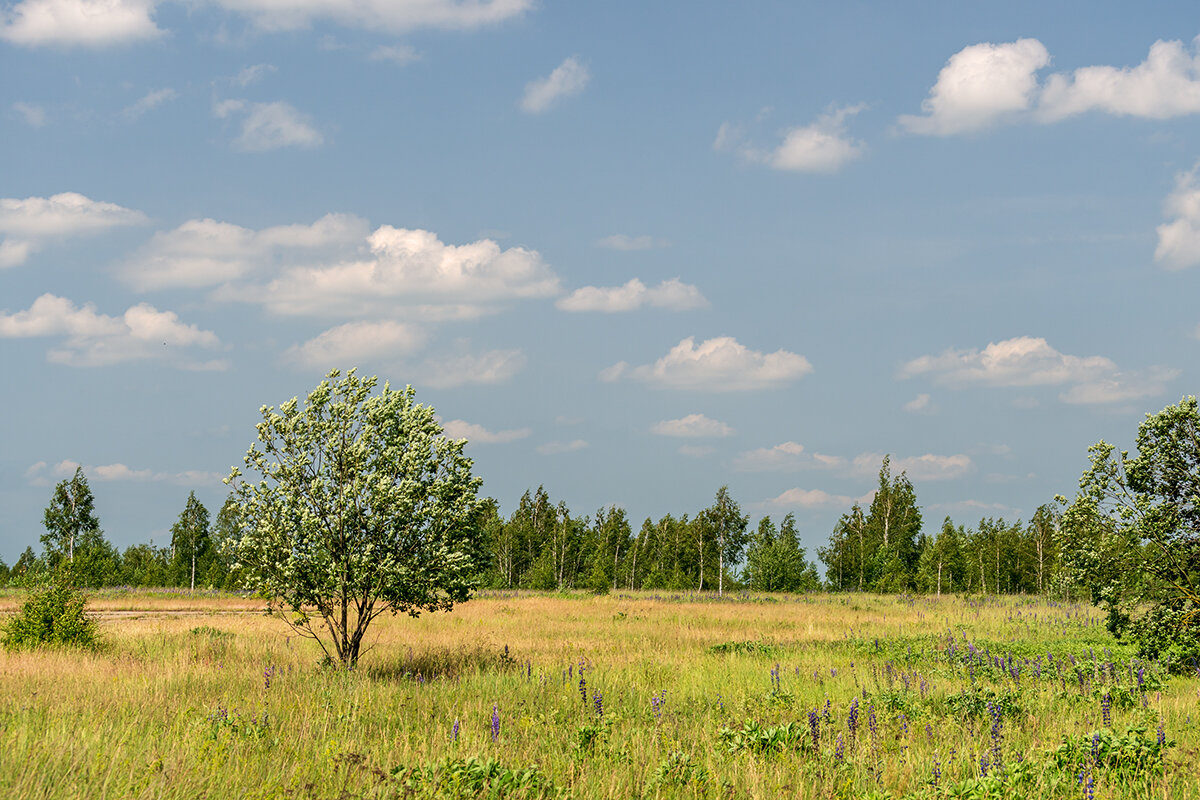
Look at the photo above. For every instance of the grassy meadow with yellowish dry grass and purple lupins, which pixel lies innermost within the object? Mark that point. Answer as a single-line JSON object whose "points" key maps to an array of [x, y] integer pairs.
{"points": [[623, 696]]}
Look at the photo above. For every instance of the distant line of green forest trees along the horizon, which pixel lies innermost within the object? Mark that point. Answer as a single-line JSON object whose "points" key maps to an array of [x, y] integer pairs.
{"points": [[543, 545]]}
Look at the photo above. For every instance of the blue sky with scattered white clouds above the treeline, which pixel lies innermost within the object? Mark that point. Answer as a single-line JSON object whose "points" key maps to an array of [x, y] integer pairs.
{"points": [[632, 251]]}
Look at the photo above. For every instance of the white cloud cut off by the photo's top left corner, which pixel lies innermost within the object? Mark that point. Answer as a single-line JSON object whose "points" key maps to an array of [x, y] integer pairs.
{"points": [[89, 23]]}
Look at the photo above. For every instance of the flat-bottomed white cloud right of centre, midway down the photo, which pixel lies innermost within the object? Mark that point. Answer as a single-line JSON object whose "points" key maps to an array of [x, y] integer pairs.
{"points": [[717, 365]]}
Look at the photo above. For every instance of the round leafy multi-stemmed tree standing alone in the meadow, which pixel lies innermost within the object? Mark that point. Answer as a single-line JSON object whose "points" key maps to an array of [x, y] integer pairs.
{"points": [[363, 508]]}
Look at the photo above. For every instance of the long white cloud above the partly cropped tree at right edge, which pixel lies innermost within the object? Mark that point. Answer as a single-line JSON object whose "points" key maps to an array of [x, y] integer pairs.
{"points": [[1029, 362]]}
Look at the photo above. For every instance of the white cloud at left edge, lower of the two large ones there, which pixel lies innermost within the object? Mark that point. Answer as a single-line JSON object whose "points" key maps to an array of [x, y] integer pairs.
{"points": [[95, 340]]}
